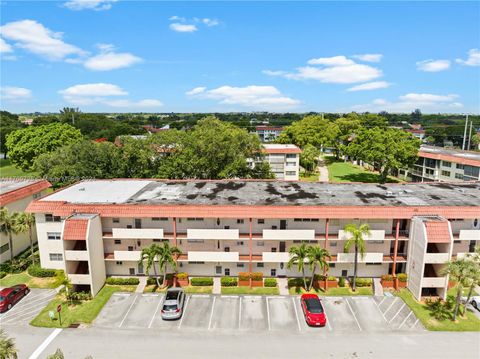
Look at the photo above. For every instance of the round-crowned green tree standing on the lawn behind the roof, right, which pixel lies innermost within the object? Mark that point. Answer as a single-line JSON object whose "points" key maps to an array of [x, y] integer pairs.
{"points": [[386, 149]]}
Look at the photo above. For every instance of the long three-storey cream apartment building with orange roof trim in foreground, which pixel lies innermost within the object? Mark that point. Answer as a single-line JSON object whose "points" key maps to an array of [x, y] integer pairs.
{"points": [[98, 228]]}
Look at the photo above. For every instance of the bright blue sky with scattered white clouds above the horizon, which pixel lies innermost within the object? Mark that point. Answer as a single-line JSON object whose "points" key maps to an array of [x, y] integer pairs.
{"points": [[119, 56]]}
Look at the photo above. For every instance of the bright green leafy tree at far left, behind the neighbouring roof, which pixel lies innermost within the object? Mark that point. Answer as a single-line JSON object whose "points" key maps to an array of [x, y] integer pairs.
{"points": [[27, 144]]}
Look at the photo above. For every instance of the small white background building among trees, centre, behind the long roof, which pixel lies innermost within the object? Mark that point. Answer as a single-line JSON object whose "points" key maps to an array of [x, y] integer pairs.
{"points": [[284, 161]]}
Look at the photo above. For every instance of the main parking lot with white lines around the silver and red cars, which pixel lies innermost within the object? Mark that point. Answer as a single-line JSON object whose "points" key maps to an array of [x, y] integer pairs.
{"points": [[228, 313]]}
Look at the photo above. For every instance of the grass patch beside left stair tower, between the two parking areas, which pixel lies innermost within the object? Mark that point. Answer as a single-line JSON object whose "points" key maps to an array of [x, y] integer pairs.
{"points": [[78, 312]]}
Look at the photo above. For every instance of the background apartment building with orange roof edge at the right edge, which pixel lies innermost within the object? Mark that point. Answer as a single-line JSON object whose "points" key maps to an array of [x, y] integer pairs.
{"points": [[445, 165]]}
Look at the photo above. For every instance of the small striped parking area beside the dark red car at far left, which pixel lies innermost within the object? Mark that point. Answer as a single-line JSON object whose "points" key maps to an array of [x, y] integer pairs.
{"points": [[28, 307]]}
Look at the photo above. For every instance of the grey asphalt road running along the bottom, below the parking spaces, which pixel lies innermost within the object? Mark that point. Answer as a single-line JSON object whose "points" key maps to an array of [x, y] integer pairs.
{"points": [[143, 343]]}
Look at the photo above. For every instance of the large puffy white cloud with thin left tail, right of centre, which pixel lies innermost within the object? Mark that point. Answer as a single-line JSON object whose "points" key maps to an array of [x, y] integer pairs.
{"points": [[336, 69]]}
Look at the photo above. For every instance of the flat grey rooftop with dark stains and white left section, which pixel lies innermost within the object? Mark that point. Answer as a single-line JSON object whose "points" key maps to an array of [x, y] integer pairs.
{"points": [[261, 193]]}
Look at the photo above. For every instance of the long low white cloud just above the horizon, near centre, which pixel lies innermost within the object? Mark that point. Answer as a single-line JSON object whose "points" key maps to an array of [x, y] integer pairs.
{"points": [[256, 97]]}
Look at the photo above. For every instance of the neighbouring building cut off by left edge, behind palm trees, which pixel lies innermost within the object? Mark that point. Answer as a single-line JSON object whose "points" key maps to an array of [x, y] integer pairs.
{"points": [[15, 195]]}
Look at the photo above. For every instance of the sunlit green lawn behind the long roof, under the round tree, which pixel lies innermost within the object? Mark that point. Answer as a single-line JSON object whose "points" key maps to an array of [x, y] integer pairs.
{"points": [[340, 171]]}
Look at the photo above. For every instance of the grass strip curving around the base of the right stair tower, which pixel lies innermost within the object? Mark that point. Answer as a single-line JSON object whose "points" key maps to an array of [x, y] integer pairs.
{"points": [[468, 323]]}
